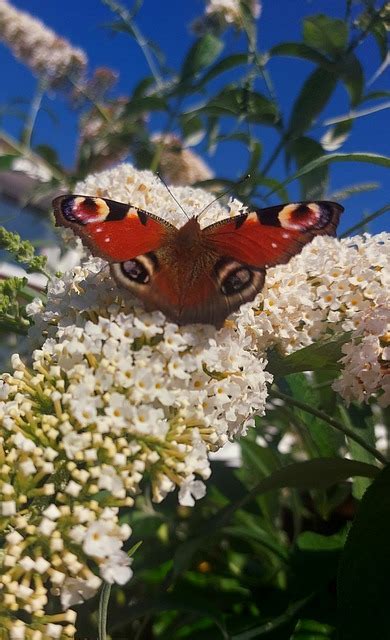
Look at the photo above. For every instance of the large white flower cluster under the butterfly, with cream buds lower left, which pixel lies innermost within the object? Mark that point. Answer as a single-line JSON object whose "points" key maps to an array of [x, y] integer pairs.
{"points": [[113, 394]]}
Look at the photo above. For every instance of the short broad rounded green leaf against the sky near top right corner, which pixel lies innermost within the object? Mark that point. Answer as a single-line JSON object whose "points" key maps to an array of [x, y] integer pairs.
{"points": [[326, 34]]}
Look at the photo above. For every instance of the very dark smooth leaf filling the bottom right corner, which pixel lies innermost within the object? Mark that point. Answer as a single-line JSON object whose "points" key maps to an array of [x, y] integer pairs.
{"points": [[363, 581]]}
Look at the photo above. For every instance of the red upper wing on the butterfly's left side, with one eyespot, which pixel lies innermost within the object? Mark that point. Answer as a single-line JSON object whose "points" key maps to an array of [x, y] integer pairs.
{"points": [[111, 230]]}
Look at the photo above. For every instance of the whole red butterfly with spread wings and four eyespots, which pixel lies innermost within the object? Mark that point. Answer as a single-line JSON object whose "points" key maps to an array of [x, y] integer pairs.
{"points": [[193, 275]]}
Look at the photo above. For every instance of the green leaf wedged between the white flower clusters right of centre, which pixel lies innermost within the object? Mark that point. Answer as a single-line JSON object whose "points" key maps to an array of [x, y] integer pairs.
{"points": [[319, 356]]}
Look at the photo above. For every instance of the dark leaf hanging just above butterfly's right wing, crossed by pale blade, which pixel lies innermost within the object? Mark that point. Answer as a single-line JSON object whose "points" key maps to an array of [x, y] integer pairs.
{"points": [[313, 185]]}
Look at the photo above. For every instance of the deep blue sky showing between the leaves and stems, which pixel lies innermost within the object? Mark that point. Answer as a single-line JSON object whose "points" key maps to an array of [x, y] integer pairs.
{"points": [[167, 23]]}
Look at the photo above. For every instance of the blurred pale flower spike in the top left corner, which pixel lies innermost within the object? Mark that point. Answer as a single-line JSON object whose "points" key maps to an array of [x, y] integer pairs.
{"points": [[48, 55]]}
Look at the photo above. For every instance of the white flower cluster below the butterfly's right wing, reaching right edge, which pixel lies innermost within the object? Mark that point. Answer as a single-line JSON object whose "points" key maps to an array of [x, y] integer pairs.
{"points": [[325, 290]]}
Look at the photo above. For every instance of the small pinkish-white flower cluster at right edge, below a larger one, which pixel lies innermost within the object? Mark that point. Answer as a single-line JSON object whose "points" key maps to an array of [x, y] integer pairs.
{"points": [[366, 361]]}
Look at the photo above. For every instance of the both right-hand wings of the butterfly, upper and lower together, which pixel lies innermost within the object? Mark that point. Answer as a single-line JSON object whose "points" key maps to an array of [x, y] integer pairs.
{"points": [[250, 243]]}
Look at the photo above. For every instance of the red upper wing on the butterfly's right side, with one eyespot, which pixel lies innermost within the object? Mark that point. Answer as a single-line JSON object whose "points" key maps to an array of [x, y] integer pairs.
{"points": [[266, 237]]}
